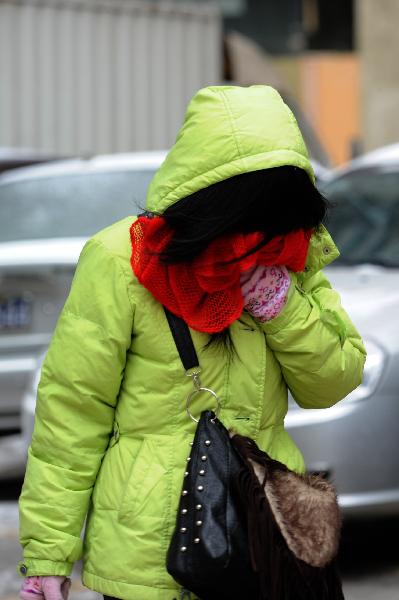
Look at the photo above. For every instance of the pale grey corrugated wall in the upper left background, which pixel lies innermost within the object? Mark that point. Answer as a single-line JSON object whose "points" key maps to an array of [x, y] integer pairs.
{"points": [[99, 76]]}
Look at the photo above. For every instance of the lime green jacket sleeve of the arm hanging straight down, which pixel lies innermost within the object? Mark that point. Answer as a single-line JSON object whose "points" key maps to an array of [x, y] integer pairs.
{"points": [[77, 395]]}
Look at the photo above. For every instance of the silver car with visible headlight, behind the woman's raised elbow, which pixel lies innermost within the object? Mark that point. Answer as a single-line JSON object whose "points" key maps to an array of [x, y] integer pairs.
{"points": [[356, 443]]}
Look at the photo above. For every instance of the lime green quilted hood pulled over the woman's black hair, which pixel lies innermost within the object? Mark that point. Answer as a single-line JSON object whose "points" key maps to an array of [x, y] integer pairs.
{"points": [[228, 130]]}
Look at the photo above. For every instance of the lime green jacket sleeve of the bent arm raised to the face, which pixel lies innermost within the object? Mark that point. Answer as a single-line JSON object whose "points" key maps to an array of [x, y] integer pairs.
{"points": [[317, 346]]}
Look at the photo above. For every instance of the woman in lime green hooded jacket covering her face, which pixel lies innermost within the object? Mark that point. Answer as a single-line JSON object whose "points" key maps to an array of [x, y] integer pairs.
{"points": [[111, 434]]}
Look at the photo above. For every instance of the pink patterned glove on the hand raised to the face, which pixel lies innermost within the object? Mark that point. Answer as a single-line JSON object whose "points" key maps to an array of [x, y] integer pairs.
{"points": [[265, 291]]}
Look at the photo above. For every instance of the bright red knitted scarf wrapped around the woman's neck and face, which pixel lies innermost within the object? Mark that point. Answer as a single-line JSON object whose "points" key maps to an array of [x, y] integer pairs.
{"points": [[206, 292]]}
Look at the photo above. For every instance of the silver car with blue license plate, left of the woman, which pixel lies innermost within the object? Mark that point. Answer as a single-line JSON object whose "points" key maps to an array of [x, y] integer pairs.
{"points": [[46, 214]]}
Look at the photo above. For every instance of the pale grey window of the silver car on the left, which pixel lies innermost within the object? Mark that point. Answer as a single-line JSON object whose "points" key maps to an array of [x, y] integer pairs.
{"points": [[70, 205]]}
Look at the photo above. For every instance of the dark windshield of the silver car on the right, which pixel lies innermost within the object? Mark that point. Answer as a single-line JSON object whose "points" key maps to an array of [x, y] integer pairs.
{"points": [[364, 218]]}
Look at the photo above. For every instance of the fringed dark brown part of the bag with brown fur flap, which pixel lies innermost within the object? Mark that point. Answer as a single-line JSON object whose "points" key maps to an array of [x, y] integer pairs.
{"points": [[293, 524]]}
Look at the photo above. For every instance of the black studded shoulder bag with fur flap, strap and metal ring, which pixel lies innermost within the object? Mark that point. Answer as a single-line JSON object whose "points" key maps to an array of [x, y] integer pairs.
{"points": [[247, 527]]}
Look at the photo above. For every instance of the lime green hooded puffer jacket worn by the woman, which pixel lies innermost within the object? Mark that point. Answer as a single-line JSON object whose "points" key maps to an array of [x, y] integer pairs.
{"points": [[111, 433]]}
